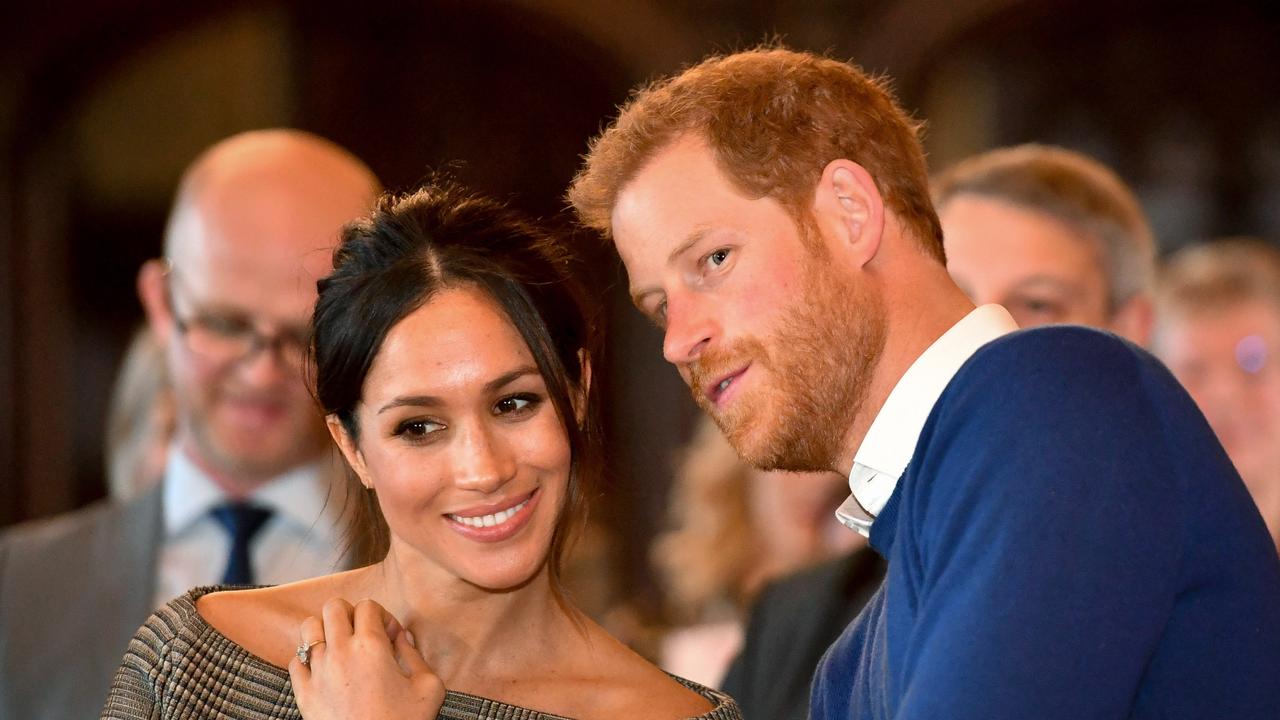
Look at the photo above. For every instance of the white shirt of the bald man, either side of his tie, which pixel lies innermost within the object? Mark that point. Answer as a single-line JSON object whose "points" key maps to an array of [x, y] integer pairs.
{"points": [[301, 540]]}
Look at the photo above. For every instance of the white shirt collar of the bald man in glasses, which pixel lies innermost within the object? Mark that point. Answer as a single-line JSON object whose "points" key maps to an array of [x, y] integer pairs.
{"points": [[299, 496]]}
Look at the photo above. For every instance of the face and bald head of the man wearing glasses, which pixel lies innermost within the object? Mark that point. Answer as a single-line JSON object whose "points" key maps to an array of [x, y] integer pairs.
{"points": [[252, 235]]}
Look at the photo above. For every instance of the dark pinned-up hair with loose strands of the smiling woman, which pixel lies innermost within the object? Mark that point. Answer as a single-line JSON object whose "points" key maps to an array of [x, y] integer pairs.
{"points": [[442, 238]]}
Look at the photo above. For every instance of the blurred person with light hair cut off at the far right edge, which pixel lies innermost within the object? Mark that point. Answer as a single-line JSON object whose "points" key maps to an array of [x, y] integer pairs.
{"points": [[1218, 329]]}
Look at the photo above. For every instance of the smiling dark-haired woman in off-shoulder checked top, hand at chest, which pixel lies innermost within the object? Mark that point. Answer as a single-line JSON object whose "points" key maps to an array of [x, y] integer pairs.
{"points": [[452, 358]]}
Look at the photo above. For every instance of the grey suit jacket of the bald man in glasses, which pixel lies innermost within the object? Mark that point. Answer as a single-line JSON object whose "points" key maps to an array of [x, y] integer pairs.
{"points": [[74, 590]]}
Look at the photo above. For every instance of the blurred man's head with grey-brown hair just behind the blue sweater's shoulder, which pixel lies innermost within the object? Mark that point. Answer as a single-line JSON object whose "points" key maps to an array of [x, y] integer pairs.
{"points": [[1052, 235]]}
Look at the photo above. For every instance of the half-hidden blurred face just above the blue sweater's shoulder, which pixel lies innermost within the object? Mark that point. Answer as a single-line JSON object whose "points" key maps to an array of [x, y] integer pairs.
{"points": [[1035, 266]]}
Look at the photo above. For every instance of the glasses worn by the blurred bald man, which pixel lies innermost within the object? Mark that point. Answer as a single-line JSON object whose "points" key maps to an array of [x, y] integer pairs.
{"points": [[232, 338]]}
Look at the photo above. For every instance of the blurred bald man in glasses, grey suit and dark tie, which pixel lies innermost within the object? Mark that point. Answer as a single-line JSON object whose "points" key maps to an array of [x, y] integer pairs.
{"points": [[248, 494]]}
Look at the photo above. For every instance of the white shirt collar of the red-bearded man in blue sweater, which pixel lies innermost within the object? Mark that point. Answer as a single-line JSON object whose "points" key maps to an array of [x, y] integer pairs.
{"points": [[892, 440]]}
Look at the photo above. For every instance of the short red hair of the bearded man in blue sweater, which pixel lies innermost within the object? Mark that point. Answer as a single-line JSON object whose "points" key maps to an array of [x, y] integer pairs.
{"points": [[775, 120]]}
